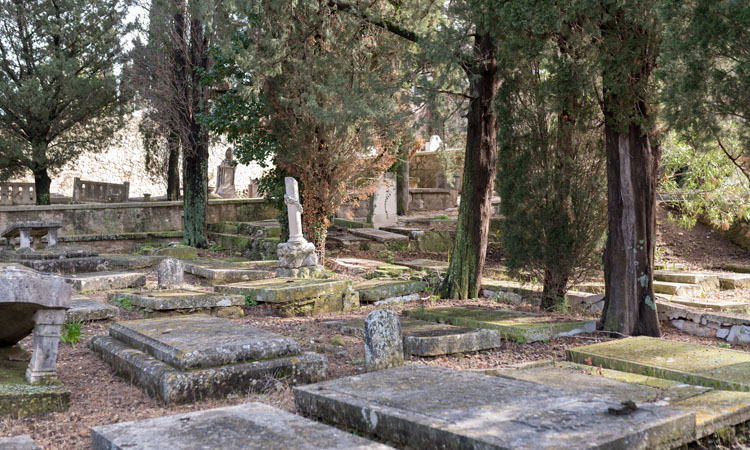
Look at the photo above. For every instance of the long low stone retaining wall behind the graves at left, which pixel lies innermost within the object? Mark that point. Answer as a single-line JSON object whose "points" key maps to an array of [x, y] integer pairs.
{"points": [[132, 217]]}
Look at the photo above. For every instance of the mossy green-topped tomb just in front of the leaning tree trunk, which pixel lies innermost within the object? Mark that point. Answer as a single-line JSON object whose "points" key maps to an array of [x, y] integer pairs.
{"points": [[513, 325]]}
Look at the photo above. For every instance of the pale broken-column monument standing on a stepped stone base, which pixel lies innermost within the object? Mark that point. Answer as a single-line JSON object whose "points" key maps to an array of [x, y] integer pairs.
{"points": [[297, 257]]}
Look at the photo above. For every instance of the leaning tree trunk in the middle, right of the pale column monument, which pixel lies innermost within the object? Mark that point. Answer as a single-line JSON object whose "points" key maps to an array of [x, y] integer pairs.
{"points": [[464, 275]]}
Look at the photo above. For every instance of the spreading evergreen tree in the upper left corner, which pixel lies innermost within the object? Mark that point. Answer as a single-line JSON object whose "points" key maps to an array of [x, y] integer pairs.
{"points": [[58, 92]]}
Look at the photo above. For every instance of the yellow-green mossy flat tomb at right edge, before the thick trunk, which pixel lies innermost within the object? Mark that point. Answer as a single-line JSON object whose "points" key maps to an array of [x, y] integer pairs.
{"points": [[687, 363]]}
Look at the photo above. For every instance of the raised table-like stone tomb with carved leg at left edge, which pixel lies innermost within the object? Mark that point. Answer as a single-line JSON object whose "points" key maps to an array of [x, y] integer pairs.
{"points": [[35, 302]]}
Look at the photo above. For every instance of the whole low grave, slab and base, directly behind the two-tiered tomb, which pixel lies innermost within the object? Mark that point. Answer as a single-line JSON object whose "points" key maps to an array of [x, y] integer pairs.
{"points": [[171, 301]]}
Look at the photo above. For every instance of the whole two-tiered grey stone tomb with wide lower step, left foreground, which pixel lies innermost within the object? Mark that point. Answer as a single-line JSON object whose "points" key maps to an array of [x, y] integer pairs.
{"points": [[185, 358]]}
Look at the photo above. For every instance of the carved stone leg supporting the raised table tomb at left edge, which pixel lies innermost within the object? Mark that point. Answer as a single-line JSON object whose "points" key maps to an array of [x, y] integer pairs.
{"points": [[47, 328]]}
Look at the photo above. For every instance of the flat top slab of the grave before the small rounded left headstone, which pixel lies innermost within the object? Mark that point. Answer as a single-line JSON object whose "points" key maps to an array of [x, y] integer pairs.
{"points": [[176, 299]]}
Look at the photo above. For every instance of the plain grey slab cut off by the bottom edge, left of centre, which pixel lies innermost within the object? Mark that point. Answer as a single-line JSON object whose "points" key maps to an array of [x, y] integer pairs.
{"points": [[248, 426]]}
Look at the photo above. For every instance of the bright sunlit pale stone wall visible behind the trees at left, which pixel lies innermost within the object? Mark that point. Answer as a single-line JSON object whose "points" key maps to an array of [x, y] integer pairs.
{"points": [[124, 161]]}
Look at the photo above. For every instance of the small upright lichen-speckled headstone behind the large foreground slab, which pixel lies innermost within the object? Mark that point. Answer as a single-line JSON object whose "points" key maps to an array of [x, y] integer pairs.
{"points": [[383, 344]]}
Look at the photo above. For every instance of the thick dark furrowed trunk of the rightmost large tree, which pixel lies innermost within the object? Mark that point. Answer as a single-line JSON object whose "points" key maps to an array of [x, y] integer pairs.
{"points": [[632, 167]]}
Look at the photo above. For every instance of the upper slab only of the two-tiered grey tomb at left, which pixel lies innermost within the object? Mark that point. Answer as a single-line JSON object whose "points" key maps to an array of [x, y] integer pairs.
{"points": [[199, 341]]}
